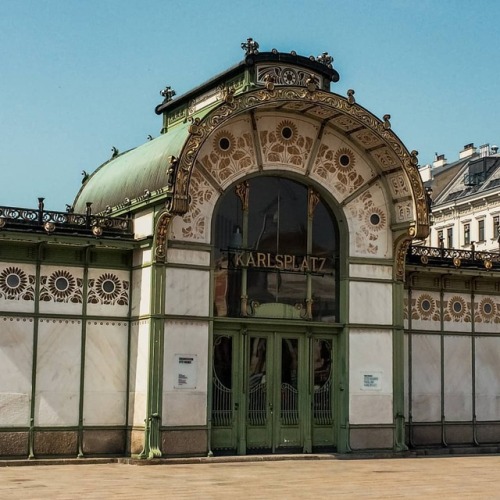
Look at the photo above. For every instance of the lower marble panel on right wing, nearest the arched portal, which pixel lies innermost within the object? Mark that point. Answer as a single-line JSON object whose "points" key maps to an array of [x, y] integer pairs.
{"points": [[426, 378]]}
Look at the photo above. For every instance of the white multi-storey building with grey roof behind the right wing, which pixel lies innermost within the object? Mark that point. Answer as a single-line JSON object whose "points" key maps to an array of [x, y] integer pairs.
{"points": [[465, 199]]}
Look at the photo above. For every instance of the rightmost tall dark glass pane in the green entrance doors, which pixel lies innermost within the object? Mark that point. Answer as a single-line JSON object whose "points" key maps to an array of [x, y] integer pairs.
{"points": [[322, 358]]}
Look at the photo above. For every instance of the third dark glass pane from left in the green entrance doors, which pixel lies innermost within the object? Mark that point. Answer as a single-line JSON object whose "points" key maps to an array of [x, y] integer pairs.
{"points": [[289, 382]]}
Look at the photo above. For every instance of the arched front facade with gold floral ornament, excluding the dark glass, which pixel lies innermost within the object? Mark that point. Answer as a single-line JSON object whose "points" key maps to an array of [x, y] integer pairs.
{"points": [[369, 181]]}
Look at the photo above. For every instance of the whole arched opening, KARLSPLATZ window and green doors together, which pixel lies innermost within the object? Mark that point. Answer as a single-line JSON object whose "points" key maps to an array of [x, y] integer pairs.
{"points": [[275, 304]]}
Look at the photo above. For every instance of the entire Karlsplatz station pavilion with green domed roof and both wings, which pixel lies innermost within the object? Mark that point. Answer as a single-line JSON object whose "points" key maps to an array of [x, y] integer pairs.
{"points": [[237, 285]]}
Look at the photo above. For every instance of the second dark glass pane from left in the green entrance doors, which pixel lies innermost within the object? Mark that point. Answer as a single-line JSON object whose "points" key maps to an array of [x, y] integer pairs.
{"points": [[257, 385]]}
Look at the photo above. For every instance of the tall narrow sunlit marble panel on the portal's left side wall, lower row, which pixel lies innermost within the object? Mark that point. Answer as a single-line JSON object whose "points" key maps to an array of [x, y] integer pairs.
{"points": [[138, 375]]}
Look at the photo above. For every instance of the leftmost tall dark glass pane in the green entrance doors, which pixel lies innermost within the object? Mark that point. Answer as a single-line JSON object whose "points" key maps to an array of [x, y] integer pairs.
{"points": [[222, 400]]}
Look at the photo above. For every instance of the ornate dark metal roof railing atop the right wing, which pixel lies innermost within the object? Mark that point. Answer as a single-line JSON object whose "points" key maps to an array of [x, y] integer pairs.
{"points": [[451, 257]]}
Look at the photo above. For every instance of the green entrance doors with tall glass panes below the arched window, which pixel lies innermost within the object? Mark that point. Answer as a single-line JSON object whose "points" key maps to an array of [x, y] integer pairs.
{"points": [[272, 392]]}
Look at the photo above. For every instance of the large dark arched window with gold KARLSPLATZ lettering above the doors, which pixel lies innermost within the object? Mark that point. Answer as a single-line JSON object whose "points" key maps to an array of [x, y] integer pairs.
{"points": [[276, 252]]}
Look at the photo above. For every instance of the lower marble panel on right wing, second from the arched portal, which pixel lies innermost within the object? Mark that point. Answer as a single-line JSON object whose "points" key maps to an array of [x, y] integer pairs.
{"points": [[457, 378]]}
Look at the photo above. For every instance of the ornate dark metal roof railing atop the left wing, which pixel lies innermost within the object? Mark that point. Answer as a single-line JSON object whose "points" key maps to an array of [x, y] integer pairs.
{"points": [[47, 221]]}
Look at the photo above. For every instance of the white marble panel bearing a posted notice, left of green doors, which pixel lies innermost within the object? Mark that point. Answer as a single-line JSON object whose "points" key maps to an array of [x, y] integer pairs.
{"points": [[185, 406]]}
